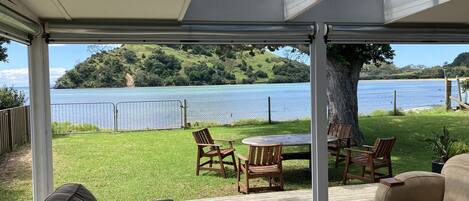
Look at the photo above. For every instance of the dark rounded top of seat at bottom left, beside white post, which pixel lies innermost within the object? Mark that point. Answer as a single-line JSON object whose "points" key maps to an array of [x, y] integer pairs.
{"points": [[71, 192]]}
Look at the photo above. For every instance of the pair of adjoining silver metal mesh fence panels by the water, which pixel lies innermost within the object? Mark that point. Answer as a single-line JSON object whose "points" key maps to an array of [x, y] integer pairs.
{"points": [[122, 116]]}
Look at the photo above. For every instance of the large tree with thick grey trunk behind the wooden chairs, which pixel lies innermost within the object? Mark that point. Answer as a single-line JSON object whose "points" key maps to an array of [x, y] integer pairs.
{"points": [[344, 64]]}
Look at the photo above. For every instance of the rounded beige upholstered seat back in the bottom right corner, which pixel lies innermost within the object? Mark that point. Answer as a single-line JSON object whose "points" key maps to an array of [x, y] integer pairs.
{"points": [[456, 172]]}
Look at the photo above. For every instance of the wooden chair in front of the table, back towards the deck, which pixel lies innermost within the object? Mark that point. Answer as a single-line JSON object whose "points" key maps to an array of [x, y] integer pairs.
{"points": [[262, 161]]}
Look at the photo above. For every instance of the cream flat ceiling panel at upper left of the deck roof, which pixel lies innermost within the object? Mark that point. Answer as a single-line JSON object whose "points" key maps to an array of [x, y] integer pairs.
{"points": [[108, 9]]}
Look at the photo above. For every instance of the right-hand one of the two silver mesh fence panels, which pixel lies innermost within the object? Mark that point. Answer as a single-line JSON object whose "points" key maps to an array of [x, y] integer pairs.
{"points": [[148, 115]]}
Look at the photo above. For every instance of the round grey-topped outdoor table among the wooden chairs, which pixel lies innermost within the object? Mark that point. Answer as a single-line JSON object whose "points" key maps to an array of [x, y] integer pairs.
{"points": [[287, 140]]}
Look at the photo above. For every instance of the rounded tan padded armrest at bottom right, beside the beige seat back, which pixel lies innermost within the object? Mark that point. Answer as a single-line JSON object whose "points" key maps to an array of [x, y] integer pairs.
{"points": [[416, 186]]}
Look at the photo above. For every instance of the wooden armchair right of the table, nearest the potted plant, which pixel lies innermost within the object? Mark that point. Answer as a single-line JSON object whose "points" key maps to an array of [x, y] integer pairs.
{"points": [[373, 158]]}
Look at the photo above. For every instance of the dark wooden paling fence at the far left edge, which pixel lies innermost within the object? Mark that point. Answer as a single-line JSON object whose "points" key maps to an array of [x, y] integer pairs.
{"points": [[14, 128]]}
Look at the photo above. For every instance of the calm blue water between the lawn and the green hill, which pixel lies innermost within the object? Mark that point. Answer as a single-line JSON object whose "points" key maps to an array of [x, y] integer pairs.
{"points": [[228, 103]]}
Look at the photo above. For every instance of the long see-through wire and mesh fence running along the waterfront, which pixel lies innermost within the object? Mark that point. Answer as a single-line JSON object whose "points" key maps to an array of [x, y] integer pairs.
{"points": [[169, 114]]}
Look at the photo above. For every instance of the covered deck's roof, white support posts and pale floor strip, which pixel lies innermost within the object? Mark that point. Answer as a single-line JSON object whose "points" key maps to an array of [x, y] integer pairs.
{"points": [[37, 23]]}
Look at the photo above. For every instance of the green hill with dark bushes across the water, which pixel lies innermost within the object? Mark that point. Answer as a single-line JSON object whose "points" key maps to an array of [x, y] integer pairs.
{"points": [[168, 65]]}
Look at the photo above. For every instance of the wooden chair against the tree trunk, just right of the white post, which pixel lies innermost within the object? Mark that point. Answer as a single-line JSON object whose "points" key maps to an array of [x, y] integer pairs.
{"points": [[343, 133]]}
